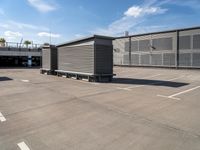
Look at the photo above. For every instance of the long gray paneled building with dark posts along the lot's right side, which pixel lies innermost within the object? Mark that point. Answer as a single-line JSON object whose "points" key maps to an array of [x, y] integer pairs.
{"points": [[175, 48]]}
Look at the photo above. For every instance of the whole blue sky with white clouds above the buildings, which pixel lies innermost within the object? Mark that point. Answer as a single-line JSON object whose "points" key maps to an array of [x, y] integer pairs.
{"points": [[70, 19]]}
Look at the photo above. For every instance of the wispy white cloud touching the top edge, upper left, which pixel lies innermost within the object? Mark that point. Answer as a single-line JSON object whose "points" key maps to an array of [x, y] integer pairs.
{"points": [[42, 6]]}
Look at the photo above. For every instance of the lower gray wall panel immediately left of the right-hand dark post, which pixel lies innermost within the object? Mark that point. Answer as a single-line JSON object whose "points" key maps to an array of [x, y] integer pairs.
{"points": [[169, 59]]}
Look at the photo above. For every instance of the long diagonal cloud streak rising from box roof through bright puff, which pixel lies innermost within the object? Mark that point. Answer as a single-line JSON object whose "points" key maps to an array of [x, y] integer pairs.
{"points": [[132, 17]]}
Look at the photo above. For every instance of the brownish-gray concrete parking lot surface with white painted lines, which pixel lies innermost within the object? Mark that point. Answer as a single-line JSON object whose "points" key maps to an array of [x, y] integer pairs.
{"points": [[142, 109]]}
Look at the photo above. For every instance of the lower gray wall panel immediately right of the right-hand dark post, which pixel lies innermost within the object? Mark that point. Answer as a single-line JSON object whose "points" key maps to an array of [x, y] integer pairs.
{"points": [[185, 59]]}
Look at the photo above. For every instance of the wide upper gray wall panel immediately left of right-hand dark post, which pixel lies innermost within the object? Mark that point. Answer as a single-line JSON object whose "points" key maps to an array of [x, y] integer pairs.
{"points": [[162, 44]]}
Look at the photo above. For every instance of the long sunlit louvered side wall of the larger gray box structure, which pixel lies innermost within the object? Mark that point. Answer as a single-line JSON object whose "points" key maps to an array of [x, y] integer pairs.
{"points": [[76, 58]]}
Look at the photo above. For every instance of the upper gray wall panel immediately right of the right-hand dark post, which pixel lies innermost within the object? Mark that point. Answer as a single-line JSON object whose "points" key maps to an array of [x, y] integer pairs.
{"points": [[185, 42]]}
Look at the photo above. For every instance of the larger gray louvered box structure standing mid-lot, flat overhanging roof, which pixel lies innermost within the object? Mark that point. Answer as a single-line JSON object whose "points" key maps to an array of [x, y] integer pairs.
{"points": [[90, 57]]}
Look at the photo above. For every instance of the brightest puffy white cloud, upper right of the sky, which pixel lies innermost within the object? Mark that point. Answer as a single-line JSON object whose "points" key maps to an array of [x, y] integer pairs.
{"points": [[137, 11]]}
